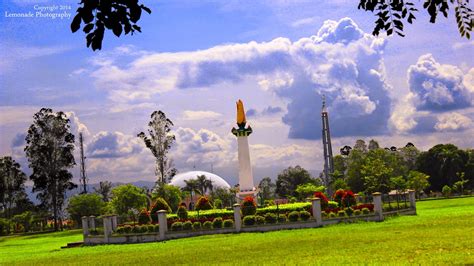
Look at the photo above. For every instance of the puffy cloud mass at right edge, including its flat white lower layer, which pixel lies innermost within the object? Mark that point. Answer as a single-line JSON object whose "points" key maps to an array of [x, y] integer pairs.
{"points": [[435, 90]]}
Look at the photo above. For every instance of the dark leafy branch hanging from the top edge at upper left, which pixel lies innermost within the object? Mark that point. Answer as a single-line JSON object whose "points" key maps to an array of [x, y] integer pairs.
{"points": [[120, 16]]}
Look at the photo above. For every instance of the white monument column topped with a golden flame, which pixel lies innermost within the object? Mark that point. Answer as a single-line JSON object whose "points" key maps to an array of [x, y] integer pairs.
{"points": [[246, 187]]}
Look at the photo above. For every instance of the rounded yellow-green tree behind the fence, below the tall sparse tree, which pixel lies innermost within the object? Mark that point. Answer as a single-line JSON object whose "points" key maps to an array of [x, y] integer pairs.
{"points": [[127, 198]]}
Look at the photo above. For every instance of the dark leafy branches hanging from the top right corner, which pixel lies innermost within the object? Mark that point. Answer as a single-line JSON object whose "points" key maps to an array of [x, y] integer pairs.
{"points": [[391, 14]]}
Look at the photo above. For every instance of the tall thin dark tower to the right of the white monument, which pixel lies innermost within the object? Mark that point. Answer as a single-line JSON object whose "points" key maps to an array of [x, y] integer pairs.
{"points": [[328, 161]]}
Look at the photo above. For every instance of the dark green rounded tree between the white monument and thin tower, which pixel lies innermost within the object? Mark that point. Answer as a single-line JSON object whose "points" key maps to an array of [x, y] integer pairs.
{"points": [[289, 179]]}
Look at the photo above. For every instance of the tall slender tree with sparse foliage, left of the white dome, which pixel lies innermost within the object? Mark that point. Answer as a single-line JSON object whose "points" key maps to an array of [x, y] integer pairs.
{"points": [[159, 141]]}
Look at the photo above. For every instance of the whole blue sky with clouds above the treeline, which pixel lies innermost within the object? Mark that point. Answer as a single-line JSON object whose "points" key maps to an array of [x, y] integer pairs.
{"points": [[194, 59]]}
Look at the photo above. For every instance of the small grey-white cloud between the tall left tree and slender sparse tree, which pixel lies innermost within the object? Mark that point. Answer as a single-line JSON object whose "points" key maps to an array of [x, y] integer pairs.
{"points": [[113, 144]]}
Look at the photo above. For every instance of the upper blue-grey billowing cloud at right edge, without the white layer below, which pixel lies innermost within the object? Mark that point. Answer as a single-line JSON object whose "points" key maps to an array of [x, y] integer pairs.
{"points": [[438, 87]]}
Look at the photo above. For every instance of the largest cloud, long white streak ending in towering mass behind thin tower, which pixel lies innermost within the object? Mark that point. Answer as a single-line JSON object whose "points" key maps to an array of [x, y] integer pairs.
{"points": [[340, 61]]}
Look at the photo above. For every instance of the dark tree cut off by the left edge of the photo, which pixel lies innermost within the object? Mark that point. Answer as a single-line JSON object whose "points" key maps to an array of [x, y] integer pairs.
{"points": [[12, 184]]}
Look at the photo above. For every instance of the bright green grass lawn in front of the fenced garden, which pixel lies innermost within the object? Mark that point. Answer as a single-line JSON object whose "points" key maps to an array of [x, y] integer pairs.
{"points": [[442, 232]]}
